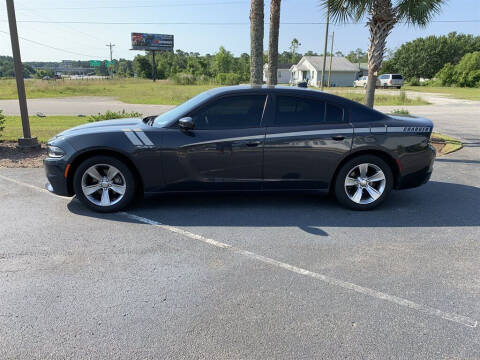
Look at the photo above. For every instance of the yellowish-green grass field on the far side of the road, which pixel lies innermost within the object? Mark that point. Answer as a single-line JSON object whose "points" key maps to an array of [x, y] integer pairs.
{"points": [[164, 92]]}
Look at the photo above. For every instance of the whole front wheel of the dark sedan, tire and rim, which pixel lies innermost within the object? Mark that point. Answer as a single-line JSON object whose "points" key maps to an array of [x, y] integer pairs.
{"points": [[104, 184]]}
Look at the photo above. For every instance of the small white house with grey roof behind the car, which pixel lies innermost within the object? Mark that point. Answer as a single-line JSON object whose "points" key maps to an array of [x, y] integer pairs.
{"points": [[309, 69]]}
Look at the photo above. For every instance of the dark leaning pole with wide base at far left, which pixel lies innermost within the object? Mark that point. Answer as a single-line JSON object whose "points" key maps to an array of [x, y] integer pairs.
{"points": [[27, 141]]}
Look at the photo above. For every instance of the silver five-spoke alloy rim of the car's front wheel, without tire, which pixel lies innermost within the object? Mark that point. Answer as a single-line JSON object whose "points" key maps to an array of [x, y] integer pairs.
{"points": [[103, 185]]}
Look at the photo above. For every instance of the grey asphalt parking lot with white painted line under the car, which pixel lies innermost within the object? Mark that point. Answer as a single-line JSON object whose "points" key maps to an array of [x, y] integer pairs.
{"points": [[245, 276]]}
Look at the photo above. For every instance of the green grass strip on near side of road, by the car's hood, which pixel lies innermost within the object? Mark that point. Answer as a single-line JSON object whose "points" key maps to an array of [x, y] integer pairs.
{"points": [[43, 128]]}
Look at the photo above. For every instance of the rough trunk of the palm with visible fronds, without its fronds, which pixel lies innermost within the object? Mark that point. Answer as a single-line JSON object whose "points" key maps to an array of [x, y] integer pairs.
{"points": [[381, 22]]}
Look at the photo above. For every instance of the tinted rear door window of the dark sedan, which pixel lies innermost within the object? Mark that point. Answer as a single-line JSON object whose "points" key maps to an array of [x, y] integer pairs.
{"points": [[292, 111]]}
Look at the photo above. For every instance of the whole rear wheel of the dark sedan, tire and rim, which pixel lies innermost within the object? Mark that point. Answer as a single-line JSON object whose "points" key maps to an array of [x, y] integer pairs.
{"points": [[363, 183]]}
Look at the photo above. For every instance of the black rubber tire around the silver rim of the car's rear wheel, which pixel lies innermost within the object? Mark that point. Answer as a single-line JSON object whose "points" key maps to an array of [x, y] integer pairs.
{"points": [[341, 190]]}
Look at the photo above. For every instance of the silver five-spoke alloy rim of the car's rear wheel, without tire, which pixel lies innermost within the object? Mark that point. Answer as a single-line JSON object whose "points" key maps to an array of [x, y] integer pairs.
{"points": [[365, 183]]}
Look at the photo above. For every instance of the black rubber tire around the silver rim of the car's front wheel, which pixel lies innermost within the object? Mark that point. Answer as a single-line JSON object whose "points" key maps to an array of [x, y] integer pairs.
{"points": [[126, 180]]}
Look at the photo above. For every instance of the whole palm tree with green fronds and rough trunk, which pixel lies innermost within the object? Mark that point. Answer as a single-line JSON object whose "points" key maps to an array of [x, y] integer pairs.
{"points": [[382, 16]]}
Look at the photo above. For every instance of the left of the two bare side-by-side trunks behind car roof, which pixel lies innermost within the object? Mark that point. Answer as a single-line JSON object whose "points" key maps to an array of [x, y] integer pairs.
{"points": [[256, 42]]}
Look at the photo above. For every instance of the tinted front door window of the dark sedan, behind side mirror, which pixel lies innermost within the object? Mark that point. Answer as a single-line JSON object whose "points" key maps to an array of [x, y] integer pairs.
{"points": [[235, 112]]}
